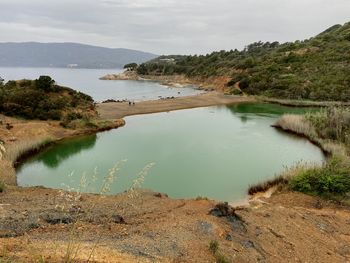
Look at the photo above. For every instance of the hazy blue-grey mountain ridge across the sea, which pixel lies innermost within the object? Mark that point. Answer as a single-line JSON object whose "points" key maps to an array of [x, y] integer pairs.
{"points": [[33, 54]]}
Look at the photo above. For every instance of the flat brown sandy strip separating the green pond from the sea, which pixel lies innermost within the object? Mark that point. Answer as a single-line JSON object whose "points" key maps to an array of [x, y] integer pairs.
{"points": [[116, 110]]}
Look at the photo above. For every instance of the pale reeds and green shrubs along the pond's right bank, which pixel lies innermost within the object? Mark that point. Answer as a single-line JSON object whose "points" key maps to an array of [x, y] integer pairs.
{"points": [[330, 128]]}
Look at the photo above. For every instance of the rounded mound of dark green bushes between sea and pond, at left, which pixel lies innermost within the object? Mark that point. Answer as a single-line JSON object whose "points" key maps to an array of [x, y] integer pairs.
{"points": [[42, 99]]}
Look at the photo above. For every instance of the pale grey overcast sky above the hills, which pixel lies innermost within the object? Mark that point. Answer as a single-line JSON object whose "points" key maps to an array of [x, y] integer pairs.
{"points": [[168, 26]]}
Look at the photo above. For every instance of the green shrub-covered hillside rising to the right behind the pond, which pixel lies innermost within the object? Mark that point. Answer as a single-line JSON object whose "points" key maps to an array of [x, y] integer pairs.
{"points": [[317, 68]]}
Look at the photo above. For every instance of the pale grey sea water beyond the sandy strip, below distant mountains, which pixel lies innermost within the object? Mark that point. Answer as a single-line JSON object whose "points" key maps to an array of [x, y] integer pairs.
{"points": [[87, 81]]}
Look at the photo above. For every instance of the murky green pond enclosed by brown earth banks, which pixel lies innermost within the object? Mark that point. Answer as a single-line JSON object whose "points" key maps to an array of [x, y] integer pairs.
{"points": [[214, 152]]}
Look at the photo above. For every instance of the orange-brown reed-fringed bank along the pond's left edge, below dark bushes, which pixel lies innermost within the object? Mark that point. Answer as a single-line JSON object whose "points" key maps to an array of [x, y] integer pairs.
{"points": [[26, 138]]}
